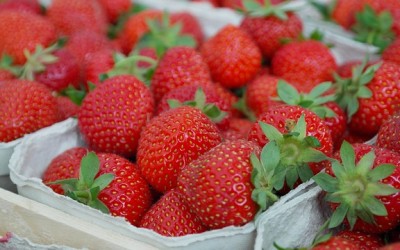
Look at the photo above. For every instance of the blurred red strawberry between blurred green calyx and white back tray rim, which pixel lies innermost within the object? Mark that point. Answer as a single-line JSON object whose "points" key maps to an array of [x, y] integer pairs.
{"points": [[190, 25]]}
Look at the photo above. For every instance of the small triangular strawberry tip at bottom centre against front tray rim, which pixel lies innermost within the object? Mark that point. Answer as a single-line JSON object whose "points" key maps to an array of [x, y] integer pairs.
{"points": [[171, 216]]}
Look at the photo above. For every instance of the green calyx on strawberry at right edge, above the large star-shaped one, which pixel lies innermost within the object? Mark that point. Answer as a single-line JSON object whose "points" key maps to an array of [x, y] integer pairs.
{"points": [[349, 90]]}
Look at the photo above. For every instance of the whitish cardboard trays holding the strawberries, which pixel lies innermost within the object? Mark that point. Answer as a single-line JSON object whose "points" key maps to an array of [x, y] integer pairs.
{"points": [[291, 222]]}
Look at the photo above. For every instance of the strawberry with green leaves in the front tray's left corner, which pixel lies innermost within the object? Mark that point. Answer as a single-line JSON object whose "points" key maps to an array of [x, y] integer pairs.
{"points": [[107, 182]]}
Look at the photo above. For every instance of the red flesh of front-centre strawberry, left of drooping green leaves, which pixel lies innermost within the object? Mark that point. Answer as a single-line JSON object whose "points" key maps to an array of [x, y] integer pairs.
{"points": [[218, 187]]}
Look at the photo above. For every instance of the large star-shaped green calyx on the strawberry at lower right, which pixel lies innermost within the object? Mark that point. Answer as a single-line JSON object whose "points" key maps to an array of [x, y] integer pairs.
{"points": [[355, 187]]}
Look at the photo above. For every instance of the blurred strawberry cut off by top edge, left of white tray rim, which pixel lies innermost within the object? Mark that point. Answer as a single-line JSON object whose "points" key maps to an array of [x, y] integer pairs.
{"points": [[115, 8]]}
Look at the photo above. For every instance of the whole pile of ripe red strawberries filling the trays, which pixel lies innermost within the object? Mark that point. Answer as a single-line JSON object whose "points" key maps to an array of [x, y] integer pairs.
{"points": [[186, 133]]}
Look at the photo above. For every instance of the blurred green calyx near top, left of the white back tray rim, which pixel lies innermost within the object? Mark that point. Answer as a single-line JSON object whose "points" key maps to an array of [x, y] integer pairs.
{"points": [[163, 35]]}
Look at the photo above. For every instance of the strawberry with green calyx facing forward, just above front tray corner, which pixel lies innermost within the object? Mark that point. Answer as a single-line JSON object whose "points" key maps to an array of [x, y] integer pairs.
{"points": [[301, 138]]}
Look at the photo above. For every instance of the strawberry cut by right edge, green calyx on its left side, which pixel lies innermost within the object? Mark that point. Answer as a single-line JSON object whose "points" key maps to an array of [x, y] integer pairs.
{"points": [[373, 96]]}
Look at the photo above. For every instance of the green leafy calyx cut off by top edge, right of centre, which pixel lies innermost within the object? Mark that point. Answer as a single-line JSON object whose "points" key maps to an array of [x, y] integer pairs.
{"points": [[255, 9]]}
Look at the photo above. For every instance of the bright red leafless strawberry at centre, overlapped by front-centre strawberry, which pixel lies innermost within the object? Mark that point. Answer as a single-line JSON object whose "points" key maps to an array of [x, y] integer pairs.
{"points": [[172, 140]]}
